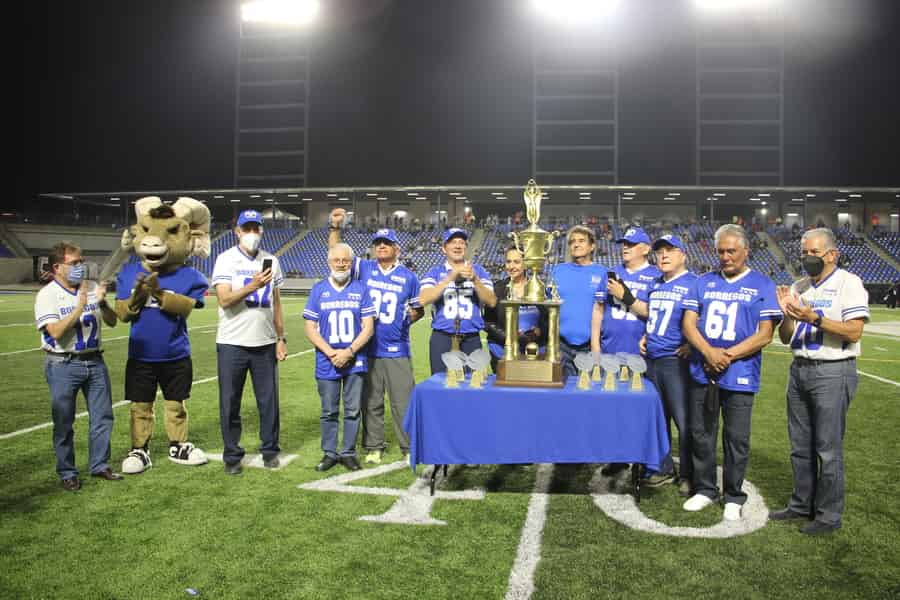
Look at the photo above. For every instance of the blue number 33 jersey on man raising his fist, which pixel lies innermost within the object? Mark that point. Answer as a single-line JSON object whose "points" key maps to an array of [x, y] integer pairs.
{"points": [[392, 293]]}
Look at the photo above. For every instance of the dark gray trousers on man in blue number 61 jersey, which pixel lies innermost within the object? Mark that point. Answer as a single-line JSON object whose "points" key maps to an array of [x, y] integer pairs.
{"points": [[737, 409]]}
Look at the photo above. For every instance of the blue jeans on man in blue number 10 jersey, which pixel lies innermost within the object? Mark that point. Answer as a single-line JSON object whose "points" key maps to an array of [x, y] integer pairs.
{"points": [[330, 395]]}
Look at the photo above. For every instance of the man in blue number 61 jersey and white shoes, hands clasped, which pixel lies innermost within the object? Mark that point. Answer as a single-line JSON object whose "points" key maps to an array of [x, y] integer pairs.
{"points": [[729, 317]]}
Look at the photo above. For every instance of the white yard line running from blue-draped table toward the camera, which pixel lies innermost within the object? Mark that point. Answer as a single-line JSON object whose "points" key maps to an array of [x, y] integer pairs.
{"points": [[521, 578]]}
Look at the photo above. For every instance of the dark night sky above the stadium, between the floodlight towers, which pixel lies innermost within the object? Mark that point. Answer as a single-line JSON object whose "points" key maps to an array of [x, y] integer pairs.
{"points": [[123, 95]]}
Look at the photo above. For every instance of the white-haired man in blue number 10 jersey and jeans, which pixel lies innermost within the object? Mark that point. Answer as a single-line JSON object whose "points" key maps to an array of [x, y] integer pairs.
{"points": [[339, 322]]}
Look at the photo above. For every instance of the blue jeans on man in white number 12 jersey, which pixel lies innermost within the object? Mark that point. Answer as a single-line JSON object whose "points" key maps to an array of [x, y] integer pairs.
{"points": [[66, 376]]}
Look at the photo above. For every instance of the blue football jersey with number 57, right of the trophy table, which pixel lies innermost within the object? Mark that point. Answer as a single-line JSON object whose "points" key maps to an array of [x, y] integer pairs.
{"points": [[665, 308]]}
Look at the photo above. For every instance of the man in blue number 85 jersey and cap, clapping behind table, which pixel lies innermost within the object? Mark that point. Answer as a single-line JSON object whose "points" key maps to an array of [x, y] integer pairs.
{"points": [[457, 289]]}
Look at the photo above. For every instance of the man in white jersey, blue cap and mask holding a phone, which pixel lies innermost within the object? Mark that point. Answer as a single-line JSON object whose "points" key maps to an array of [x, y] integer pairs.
{"points": [[250, 338]]}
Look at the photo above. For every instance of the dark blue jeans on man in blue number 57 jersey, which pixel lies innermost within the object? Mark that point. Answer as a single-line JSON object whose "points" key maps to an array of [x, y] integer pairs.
{"points": [[670, 375]]}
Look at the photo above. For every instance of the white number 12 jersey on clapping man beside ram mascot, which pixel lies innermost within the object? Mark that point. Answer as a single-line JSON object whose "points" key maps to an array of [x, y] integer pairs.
{"points": [[53, 304]]}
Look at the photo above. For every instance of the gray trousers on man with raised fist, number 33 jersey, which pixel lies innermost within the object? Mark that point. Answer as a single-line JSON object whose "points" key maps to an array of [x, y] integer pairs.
{"points": [[395, 376]]}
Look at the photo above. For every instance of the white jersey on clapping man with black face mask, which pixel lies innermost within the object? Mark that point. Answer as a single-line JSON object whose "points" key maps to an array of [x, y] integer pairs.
{"points": [[839, 297]]}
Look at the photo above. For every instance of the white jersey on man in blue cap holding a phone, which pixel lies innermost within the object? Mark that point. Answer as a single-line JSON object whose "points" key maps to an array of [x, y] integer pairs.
{"points": [[249, 322]]}
